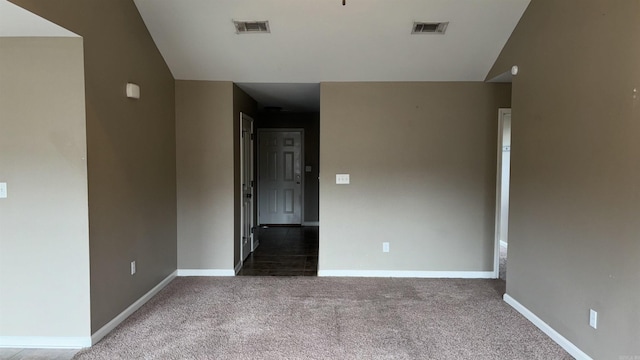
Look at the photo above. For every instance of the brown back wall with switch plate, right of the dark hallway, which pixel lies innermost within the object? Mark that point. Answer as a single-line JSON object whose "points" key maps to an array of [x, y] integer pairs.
{"points": [[422, 159]]}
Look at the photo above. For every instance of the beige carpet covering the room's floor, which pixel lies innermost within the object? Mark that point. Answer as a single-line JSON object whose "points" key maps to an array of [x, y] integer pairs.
{"points": [[326, 318]]}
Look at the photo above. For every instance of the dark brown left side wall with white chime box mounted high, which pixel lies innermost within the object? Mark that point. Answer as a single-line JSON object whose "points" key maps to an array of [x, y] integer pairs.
{"points": [[131, 151]]}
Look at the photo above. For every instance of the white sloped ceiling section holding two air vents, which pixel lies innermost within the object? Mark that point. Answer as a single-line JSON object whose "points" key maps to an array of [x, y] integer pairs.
{"points": [[314, 41]]}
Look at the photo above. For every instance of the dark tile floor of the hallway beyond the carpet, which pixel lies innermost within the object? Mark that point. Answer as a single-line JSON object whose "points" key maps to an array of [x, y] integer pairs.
{"points": [[284, 251]]}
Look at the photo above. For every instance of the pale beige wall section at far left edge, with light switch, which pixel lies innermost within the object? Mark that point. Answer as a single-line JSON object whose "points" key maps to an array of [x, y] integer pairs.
{"points": [[44, 227]]}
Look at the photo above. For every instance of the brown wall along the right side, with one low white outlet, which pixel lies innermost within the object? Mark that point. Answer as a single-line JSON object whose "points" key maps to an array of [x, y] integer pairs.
{"points": [[573, 231]]}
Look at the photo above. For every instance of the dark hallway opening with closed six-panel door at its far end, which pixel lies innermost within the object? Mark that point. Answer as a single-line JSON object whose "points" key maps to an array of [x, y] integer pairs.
{"points": [[286, 197]]}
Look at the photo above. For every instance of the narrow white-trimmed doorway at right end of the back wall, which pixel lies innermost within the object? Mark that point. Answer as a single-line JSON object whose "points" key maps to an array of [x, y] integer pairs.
{"points": [[502, 193]]}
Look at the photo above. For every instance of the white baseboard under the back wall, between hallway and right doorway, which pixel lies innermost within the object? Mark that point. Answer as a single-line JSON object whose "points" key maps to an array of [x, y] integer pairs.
{"points": [[409, 274]]}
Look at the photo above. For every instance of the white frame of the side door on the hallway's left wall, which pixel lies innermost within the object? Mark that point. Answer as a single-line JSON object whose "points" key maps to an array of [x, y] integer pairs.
{"points": [[254, 242]]}
